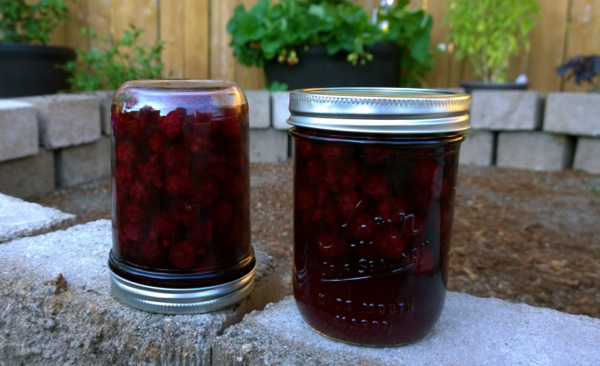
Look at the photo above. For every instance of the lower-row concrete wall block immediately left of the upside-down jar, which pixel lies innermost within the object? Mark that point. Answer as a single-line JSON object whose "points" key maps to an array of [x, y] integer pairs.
{"points": [[83, 163]]}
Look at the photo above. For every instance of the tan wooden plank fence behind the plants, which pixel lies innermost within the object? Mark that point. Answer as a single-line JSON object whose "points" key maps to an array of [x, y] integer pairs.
{"points": [[196, 42]]}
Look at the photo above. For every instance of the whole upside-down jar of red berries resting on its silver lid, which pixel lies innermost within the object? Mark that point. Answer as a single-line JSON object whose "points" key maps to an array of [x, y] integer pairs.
{"points": [[180, 196]]}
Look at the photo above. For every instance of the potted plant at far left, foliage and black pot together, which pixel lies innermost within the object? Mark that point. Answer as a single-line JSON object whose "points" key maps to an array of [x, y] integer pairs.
{"points": [[27, 65]]}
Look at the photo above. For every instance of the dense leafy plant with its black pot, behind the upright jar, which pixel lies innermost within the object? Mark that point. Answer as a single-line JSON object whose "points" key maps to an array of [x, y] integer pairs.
{"points": [[329, 43]]}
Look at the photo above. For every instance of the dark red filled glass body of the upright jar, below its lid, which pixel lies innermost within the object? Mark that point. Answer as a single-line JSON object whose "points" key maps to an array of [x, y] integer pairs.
{"points": [[372, 226]]}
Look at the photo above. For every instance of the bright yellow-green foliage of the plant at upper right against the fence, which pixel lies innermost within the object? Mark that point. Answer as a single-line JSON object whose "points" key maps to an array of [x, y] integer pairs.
{"points": [[490, 31]]}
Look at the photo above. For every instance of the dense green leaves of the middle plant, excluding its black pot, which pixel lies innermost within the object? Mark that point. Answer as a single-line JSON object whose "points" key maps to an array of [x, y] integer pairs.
{"points": [[267, 31]]}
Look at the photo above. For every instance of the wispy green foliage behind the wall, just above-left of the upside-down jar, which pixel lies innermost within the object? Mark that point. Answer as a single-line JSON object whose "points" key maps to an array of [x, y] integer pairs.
{"points": [[122, 60]]}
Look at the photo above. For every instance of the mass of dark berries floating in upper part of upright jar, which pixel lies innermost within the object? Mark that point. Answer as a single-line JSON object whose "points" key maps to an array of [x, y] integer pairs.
{"points": [[369, 202]]}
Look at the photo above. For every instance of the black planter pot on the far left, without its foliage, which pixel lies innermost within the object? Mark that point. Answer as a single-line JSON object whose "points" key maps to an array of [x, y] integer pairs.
{"points": [[27, 69]]}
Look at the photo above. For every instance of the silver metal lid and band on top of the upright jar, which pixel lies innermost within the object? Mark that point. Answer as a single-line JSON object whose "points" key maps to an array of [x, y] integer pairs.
{"points": [[380, 110]]}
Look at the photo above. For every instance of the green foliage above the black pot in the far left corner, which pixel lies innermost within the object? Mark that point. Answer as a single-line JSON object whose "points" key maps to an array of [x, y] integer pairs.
{"points": [[24, 23]]}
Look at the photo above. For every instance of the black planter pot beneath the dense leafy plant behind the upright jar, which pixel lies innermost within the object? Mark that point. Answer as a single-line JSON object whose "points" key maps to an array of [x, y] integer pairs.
{"points": [[316, 69]]}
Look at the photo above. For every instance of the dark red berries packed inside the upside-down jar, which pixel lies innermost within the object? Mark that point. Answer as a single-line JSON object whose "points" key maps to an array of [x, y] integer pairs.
{"points": [[181, 191]]}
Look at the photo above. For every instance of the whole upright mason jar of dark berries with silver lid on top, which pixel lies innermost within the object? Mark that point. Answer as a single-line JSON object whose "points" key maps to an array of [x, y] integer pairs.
{"points": [[374, 186]]}
